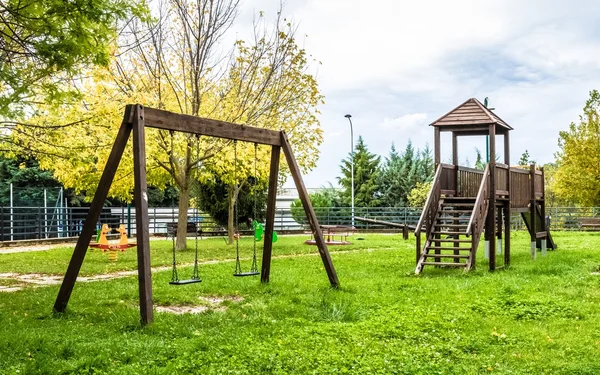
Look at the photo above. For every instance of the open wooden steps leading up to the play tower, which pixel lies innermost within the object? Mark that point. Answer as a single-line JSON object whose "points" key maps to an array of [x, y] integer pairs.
{"points": [[448, 244]]}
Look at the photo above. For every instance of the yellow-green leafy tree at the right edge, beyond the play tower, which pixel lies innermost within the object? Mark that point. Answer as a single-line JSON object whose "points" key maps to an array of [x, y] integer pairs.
{"points": [[578, 174]]}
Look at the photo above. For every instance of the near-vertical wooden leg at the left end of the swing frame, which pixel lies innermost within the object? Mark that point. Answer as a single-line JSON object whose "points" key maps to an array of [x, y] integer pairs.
{"points": [[140, 195]]}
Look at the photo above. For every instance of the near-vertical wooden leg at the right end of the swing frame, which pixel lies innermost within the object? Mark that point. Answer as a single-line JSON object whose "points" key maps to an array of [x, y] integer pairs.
{"points": [[271, 200]]}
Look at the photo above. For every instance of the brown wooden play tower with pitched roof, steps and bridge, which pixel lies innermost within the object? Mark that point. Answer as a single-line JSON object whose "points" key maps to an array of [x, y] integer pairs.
{"points": [[464, 202]]}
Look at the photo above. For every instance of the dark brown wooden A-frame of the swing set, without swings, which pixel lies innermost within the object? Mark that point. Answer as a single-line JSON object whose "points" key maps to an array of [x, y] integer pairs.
{"points": [[135, 120]]}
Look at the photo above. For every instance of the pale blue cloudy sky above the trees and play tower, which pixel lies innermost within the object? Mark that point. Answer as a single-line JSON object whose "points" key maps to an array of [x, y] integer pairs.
{"points": [[396, 66]]}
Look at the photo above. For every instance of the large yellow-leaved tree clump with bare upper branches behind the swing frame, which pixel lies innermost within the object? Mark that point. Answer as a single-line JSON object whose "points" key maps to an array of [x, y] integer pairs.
{"points": [[173, 62]]}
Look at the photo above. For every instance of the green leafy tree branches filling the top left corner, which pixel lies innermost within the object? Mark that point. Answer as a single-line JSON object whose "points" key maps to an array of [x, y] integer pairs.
{"points": [[44, 43]]}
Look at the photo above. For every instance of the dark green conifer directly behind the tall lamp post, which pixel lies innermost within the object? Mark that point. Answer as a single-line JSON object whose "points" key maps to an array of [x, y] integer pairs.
{"points": [[366, 174]]}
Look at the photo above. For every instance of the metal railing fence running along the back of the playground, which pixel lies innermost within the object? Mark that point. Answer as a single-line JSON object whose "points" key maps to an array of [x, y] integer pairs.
{"points": [[20, 223]]}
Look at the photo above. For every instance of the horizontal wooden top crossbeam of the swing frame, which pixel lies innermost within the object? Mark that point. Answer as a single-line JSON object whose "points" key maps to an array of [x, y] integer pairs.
{"points": [[156, 118]]}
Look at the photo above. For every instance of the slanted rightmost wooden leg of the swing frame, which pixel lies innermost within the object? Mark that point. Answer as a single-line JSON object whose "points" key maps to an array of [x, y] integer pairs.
{"points": [[310, 212]]}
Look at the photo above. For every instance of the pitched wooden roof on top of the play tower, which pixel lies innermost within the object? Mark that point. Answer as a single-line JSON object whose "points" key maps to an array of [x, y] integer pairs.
{"points": [[471, 114]]}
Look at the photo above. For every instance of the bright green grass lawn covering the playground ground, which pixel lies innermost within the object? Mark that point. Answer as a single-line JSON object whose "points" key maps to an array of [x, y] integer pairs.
{"points": [[538, 317]]}
